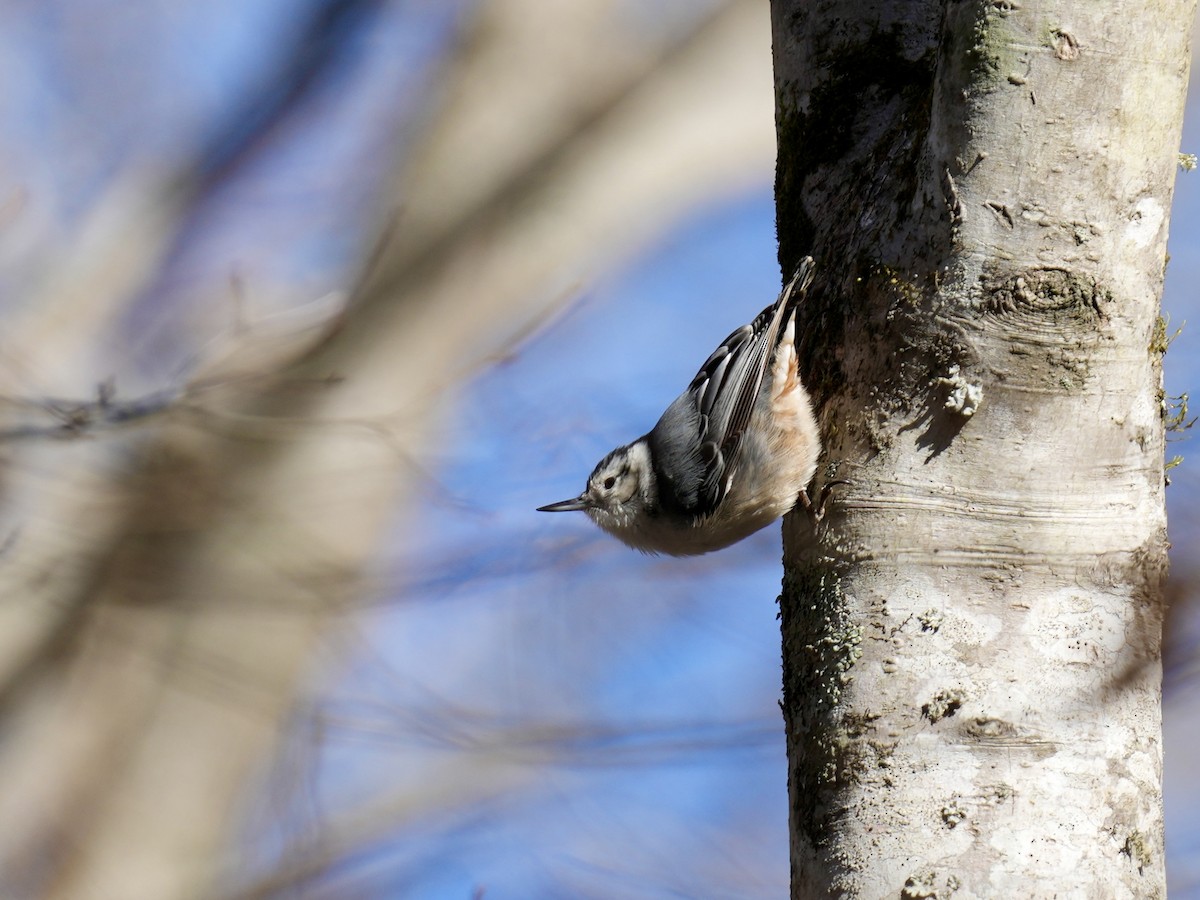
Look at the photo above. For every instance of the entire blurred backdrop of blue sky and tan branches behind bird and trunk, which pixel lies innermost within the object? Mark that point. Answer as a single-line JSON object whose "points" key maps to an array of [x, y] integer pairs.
{"points": [[308, 305]]}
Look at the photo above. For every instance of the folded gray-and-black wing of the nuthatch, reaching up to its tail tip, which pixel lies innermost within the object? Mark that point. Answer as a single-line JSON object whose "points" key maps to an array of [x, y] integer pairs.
{"points": [[698, 440]]}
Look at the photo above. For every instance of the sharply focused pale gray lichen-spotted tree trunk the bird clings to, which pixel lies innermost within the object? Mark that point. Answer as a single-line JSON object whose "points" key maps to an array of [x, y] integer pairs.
{"points": [[971, 647]]}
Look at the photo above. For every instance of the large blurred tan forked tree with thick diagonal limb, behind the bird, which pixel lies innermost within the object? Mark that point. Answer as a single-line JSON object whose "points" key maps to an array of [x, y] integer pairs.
{"points": [[171, 573]]}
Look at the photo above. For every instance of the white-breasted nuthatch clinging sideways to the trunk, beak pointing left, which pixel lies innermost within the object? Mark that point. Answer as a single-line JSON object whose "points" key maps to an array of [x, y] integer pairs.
{"points": [[733, 454]]}
